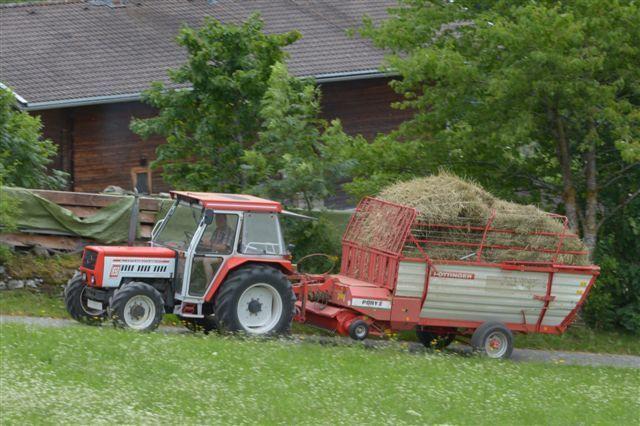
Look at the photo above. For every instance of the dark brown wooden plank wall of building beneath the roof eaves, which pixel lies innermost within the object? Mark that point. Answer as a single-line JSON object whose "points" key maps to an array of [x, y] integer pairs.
{"points": [[99, 150]]}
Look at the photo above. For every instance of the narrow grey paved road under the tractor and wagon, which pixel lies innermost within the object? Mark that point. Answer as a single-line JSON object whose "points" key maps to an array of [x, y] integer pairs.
{"points": [[519, 355]]}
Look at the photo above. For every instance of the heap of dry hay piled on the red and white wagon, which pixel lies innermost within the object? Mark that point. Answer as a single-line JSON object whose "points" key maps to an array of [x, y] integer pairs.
{"points": [[445, 199]]}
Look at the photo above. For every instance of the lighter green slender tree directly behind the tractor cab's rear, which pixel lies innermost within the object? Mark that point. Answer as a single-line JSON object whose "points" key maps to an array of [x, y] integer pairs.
{"points": [[295, 151]]}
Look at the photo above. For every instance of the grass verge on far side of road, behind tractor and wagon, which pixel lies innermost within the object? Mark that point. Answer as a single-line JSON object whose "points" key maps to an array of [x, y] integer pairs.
{"points": [[50, 304]]}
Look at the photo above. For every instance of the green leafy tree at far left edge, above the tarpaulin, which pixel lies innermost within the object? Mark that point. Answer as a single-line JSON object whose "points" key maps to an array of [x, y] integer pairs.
{"points": [[24, 155]]}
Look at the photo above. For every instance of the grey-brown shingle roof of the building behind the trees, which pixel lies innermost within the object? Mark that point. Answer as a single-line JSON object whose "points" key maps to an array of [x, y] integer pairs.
{"points": [[75, 49]]}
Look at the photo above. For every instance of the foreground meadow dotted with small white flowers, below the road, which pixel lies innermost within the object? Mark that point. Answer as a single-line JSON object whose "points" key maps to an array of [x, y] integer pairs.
{"points": [[87, 375]]}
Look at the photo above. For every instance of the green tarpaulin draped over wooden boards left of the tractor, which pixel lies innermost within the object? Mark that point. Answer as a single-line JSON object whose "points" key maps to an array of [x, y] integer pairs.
{"points": [[109, 225]]}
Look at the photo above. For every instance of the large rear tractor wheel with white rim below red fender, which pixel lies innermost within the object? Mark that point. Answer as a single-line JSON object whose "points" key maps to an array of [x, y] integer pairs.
{"points": [[255, 300]]}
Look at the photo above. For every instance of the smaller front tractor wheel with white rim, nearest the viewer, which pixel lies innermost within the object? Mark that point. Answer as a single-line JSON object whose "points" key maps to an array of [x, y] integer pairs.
{"points": [[137, 306]]}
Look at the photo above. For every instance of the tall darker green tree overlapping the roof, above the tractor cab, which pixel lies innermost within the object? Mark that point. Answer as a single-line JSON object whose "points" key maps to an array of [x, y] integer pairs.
{"points": [[210, 114]]}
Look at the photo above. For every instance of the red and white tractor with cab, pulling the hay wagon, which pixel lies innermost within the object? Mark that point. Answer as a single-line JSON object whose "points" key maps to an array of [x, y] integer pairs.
{"points": [[215, 260]]}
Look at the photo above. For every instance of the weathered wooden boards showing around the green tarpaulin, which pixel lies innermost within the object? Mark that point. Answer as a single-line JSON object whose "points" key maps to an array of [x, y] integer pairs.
{"points": [[83, 205]]}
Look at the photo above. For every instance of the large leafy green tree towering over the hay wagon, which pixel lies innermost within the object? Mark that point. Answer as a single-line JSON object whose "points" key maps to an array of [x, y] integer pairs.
{"points": [[542, 97]]}
